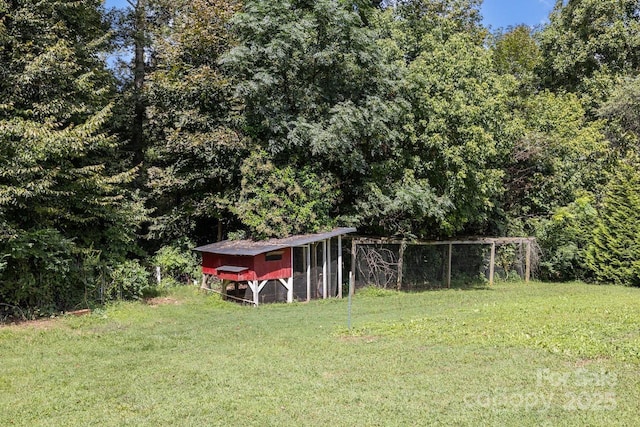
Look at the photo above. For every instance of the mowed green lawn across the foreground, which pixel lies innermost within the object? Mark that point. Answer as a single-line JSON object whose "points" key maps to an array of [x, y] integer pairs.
{"points": [[513, 354]]}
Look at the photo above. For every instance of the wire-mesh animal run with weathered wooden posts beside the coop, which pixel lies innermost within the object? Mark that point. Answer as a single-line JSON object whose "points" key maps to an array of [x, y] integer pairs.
{"points": [[412, 265]]}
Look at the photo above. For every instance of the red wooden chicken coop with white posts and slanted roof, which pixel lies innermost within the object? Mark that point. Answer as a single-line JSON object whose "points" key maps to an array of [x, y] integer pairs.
{"points": [[306, 266]]}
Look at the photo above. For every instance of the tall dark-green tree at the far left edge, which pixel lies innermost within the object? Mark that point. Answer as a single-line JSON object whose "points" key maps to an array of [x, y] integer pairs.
{"points": [[59, 195]]}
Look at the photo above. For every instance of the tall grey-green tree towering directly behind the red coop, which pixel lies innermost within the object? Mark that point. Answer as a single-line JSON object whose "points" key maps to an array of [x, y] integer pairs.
{"points": [[318, 95]]}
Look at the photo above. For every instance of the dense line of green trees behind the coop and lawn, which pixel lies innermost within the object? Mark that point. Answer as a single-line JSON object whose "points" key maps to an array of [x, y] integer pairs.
{"points": [[259, 118]]}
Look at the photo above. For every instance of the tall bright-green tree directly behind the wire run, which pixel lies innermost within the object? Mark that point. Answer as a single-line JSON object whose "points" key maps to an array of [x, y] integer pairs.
{"points": [[444, 176]]}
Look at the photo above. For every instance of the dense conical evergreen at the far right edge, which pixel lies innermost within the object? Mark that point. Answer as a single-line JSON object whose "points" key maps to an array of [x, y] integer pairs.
{"points": [[614, 255]]}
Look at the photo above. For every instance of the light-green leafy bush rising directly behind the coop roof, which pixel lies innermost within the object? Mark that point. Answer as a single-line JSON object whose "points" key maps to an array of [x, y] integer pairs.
{"points": [[277, 202]]}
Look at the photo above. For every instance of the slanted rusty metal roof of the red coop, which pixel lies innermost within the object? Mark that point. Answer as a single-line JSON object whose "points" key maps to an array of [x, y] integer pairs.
{"points": [[252, 247]]}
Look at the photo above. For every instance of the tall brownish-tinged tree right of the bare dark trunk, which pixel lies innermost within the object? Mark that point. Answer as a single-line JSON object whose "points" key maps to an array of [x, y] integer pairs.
{"points": [[194, 149]]}
